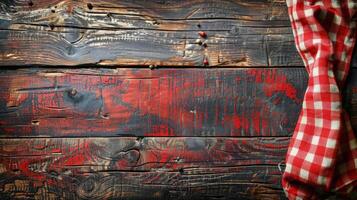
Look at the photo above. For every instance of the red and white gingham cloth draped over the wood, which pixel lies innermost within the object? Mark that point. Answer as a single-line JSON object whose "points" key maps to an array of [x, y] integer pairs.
{"points": [[322, 155]]}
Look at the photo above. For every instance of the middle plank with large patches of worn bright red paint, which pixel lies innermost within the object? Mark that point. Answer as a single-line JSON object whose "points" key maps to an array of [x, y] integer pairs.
{"points": [[137, 102]]}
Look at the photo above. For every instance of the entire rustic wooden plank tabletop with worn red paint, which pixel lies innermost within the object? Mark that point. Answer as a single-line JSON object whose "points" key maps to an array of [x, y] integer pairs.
{"points": [[135, 99]]}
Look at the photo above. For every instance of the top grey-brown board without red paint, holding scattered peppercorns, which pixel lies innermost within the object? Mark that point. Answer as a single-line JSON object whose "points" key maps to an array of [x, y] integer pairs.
{"points": [[108, 32]]}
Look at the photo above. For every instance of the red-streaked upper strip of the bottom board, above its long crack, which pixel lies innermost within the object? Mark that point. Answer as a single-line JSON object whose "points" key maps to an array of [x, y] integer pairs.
{"points": [[140, 154]]}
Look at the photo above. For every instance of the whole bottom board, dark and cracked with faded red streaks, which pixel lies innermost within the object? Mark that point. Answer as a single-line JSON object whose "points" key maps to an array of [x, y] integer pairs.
{"points": [[144, 168]]}
